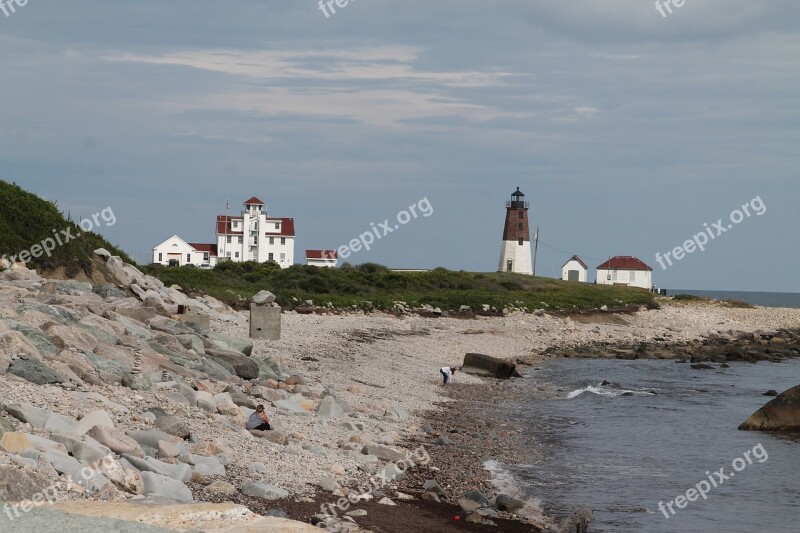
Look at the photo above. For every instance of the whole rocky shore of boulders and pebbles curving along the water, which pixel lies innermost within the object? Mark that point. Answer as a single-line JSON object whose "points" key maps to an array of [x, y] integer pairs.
{"points": [[114, 379]]}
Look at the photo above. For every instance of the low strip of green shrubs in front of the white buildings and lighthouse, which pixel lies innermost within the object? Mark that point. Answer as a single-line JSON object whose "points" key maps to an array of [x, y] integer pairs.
{"points": [[371, 286]]}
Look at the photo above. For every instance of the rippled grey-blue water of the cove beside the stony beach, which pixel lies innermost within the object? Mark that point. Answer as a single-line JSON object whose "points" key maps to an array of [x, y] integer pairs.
{"points": [[619, 455]]}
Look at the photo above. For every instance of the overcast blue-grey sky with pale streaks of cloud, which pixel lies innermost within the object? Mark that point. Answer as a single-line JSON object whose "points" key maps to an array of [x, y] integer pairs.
{"points": [[627, 130]]}
